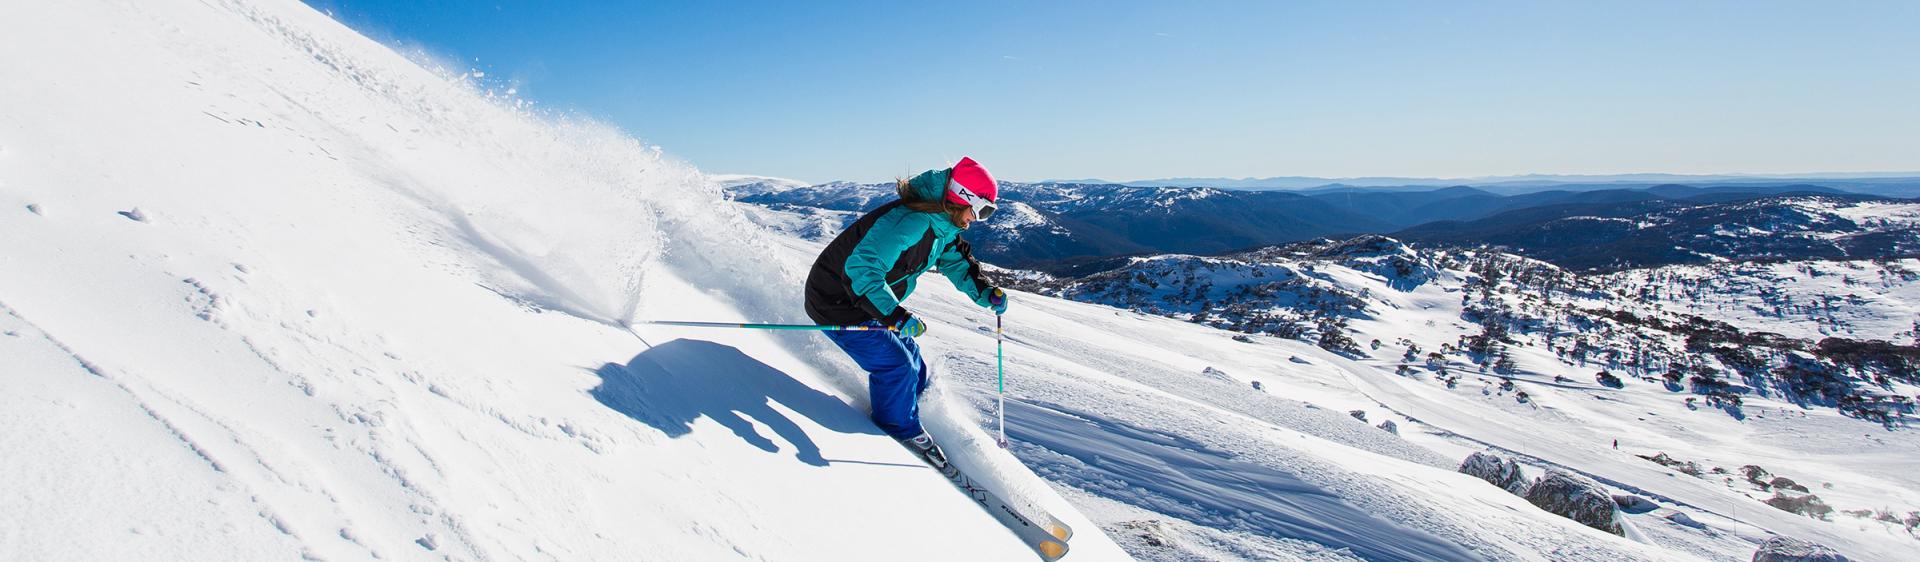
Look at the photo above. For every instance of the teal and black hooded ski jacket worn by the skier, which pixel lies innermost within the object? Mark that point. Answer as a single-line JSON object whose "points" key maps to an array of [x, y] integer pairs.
{"points": [[873, 266]]}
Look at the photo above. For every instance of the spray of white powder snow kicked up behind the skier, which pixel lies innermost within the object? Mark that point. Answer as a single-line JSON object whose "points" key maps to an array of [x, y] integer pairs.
{"points": [[571, 214]]}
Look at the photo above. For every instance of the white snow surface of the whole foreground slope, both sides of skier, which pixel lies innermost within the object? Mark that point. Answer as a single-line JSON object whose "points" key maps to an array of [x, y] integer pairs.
{"points": [[274, 293]]}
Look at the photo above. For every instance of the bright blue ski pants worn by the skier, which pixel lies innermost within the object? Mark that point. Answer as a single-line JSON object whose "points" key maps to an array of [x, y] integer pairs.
{"points": [[896, 377]]}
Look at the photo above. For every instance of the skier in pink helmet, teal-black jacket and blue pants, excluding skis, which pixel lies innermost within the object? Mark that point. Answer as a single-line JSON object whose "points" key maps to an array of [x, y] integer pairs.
{"points": [[873, 266]]}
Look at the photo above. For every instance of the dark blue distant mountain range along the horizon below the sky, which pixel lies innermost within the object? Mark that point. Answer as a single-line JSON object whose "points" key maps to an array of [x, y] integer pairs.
{"points": [[1055, 227]]}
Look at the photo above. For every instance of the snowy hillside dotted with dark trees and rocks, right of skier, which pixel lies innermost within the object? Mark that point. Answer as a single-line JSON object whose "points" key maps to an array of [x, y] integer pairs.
{"points": [[1548, 410]]}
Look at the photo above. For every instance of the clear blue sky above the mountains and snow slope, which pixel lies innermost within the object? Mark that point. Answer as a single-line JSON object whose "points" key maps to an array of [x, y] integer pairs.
{"points": [[871, 91]]}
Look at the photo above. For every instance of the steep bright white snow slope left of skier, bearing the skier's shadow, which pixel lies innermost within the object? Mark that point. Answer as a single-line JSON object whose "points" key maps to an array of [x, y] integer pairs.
{"points": [[274, 293]]}
